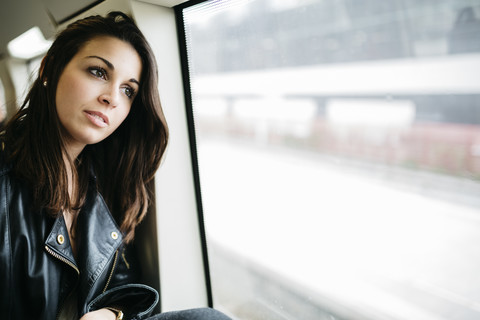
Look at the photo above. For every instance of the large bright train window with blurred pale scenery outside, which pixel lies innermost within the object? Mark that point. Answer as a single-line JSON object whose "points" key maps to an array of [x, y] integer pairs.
{"points": [[339, 156]]}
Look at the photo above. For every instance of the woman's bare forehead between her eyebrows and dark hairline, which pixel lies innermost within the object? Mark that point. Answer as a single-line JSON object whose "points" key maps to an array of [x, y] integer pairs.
{"points": [[122, 55]]}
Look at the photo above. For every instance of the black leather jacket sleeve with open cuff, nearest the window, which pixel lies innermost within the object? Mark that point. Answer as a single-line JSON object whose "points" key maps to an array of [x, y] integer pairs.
{"points": [[124, 290]]}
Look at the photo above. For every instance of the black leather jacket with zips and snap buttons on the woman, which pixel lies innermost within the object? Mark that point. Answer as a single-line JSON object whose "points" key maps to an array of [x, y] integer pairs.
{"points": [[37, 268]]}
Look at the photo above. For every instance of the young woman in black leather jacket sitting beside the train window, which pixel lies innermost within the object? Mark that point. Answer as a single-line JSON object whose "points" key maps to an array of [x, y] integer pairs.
{"points": [[75, 162]]}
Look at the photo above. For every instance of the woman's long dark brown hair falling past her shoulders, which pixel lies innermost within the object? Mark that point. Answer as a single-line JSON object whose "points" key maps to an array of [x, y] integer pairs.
{"points": [[124, 162]]}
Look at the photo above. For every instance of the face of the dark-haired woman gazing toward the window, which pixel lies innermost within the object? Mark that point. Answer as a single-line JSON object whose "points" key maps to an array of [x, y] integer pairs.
{"points": [[96, 90]]}
